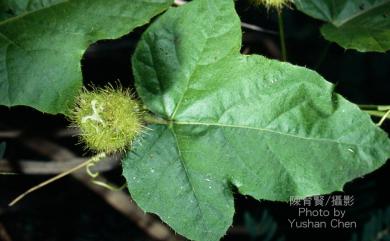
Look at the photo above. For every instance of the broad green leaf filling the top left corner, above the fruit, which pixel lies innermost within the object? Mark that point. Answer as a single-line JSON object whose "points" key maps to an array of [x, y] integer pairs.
{"points": [[40, 51]]}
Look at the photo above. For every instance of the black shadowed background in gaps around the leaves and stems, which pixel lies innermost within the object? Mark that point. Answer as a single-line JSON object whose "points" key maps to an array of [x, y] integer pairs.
{"points": [[67, 210]]}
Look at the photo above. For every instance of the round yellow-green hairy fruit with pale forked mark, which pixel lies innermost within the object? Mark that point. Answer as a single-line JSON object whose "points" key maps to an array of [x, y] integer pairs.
{"points": [[108, 119]]}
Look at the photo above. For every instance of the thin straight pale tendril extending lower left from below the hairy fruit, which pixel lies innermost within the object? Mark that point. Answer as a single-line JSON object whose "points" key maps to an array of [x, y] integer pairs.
{"points": [[96, 158]]}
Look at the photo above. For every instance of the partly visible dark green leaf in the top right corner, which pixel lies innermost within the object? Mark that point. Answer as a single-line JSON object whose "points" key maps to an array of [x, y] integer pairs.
{"points": [[363, 25]]}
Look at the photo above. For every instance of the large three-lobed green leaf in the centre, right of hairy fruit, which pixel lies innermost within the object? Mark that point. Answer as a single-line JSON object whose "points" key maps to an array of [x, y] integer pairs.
{"points": [[271, 129]]}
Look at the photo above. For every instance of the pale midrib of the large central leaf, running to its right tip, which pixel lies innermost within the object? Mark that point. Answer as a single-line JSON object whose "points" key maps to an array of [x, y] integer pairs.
{"points": [[264, 130]]}
